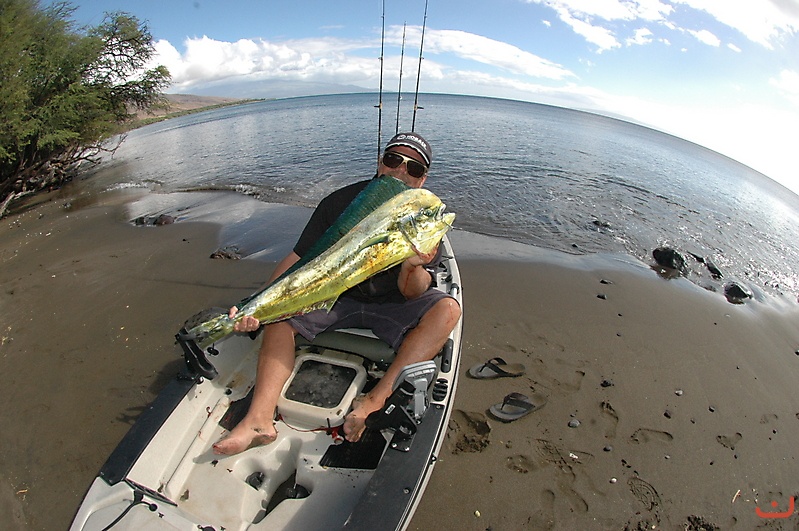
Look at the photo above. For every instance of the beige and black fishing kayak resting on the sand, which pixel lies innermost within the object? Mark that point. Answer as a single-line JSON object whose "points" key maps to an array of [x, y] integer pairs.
{"points": [[164, 474]]}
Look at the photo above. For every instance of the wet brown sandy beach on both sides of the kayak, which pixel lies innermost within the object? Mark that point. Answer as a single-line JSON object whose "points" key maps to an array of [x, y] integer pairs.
{"points": [[686, 409]]}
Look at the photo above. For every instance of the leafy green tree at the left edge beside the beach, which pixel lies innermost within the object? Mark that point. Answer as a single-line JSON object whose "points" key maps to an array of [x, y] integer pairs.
{"points": [[64, 92]]}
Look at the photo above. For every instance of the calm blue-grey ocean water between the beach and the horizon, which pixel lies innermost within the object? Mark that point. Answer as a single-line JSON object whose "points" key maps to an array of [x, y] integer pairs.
{"points": [[546, 176]]}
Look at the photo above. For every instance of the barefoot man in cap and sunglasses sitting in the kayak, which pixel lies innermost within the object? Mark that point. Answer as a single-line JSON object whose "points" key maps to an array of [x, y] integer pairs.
{"points": [[398, 305]]}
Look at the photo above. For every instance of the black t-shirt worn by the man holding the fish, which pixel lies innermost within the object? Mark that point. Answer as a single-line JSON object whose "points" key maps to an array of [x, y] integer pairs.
{"points": [[382, 287]]}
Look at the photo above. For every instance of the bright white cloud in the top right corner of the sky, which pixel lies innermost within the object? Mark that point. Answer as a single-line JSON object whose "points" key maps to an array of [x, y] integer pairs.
{"points": [[761, 21]]}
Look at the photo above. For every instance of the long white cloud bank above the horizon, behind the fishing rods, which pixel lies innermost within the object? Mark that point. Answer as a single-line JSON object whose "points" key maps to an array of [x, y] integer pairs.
{"points": [[336, 60]]}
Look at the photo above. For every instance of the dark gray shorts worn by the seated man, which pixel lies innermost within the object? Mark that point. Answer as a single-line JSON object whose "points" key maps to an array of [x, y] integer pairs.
{"points": [[389, 321]]}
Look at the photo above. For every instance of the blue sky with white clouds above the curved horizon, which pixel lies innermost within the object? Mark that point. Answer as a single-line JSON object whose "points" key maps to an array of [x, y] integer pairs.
{"points": [[721, 73]]}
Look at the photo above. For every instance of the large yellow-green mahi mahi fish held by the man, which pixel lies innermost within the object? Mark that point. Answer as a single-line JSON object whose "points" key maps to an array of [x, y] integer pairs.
{"points": [[412, 220]]}
